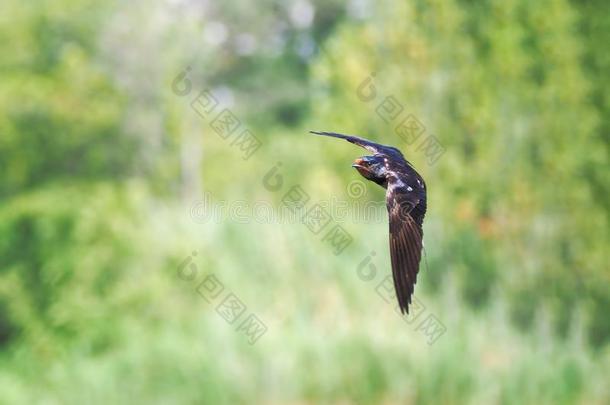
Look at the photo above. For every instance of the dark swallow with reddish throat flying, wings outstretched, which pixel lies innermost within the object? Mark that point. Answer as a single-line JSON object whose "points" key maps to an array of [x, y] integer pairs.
{"points": [[406, 203]]}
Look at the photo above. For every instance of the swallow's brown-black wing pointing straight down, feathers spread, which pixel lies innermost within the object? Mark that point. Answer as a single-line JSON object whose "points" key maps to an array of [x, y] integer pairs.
{"points": [[405, 240]]}
